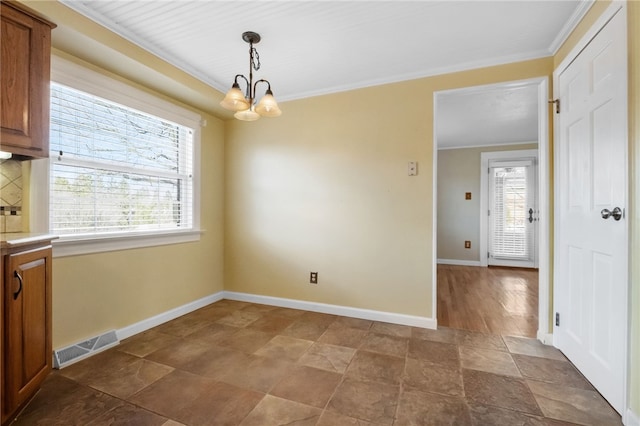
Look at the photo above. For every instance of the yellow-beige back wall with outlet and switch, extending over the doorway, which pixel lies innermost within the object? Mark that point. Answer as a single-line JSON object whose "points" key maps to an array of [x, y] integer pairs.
{"points": [[325, 188]]}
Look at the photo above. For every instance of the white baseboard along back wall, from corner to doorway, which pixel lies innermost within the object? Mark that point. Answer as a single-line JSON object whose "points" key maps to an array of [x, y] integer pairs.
{"points": [[346, 311]]}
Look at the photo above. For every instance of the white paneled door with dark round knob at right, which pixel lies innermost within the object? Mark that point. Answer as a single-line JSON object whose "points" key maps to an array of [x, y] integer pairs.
{"points": [[591, 281]]}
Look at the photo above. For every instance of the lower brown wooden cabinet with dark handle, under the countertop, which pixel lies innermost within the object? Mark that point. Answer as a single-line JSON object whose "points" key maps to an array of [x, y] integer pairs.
{"points": [[27, 325]]}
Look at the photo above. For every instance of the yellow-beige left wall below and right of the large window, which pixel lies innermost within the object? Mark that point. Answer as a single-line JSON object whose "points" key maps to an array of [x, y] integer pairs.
{"points": [[100, 292]]}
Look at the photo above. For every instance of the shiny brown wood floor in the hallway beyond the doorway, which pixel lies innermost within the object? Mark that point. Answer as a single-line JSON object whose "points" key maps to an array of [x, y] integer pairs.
{"points": [[489, 300]]}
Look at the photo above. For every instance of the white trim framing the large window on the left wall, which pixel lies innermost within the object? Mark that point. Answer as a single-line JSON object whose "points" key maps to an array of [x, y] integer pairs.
{"points": [[81, 78]]}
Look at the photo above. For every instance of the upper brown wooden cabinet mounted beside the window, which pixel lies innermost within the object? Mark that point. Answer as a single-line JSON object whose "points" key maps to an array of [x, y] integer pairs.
{"points": [[24, 82]]}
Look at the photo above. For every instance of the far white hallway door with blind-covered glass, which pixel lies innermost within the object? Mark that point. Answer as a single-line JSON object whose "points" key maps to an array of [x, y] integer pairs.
{"points": [[512, 213]]}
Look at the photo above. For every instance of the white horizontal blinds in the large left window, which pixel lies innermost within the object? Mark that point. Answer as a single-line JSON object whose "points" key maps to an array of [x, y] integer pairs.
{"points": [[115, 169]]}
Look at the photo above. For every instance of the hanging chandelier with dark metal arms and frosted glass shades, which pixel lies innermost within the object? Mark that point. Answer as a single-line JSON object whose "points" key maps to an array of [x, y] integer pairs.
{"points": [[243, 104]]}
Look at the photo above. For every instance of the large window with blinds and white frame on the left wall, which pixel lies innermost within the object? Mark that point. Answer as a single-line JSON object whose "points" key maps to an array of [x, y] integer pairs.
{"points": [[119, 167]]}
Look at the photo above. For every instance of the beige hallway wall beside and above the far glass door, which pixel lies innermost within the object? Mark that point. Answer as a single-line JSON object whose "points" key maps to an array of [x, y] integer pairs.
{"points": [[458, 218]]}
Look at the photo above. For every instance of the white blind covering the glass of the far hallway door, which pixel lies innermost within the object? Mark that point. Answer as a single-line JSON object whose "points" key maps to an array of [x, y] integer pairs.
{"points": [[511, 231]]}
